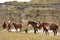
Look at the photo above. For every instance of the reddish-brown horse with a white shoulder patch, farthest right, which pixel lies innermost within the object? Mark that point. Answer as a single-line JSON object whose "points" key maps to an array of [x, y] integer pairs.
{"points": [[52, 26]]}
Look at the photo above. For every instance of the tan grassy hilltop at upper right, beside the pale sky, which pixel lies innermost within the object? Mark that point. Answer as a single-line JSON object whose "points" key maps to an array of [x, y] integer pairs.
{"points": [[45, 1]]}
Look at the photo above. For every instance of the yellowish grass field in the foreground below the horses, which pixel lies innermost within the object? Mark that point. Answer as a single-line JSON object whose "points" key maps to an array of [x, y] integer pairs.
{"points": [[26, 36]]}
